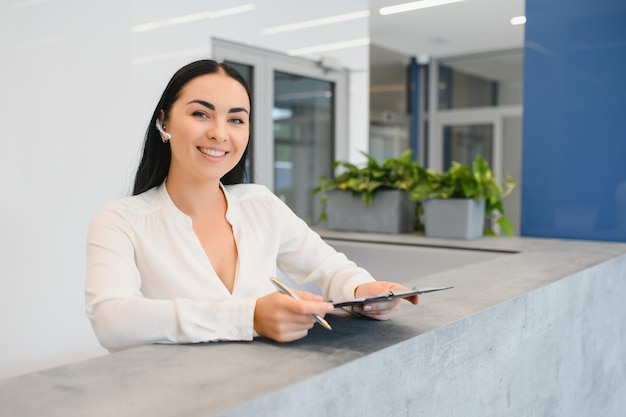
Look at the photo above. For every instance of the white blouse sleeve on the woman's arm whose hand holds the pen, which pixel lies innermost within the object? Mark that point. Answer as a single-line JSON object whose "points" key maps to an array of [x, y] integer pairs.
{"points": [[122, 317]]}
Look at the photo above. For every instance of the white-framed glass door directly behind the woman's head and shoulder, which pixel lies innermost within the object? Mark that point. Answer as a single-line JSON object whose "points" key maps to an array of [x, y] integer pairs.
{"points": [[299, 118]]}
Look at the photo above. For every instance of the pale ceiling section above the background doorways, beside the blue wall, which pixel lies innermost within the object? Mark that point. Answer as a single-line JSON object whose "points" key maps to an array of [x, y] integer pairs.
{"points": [[474, 36]]}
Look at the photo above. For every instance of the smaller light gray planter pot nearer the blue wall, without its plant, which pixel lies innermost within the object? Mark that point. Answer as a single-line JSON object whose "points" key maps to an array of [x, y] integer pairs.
{"points": [[456, 218]]}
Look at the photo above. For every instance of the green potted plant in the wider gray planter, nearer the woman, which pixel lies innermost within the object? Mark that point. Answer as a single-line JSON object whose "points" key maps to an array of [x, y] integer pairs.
{"points": [[373, 198]]}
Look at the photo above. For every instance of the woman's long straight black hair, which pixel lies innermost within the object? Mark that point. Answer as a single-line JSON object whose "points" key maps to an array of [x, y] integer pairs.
{"points": [[155, 161]]}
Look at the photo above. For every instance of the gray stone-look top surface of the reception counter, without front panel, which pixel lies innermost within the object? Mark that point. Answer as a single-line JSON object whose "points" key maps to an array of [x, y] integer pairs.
{"points": [[229, 378]]}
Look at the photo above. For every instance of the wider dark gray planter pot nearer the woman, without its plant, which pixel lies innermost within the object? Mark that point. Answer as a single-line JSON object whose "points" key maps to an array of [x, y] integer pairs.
{"points": [[390, 212]]}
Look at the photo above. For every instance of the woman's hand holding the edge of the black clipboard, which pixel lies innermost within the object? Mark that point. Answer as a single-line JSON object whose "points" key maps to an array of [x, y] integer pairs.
{"points": [[383, 310]]}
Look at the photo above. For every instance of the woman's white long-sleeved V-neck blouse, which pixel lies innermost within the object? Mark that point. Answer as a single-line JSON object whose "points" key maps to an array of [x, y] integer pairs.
{"points": [[150, 281]]}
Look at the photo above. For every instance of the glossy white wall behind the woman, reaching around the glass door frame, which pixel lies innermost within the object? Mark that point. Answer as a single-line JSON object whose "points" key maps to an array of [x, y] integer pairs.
{"points": [[76, 91]]}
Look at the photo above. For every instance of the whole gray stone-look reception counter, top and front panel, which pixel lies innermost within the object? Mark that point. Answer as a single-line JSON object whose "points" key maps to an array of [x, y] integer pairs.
{"points": [[532, 327]]}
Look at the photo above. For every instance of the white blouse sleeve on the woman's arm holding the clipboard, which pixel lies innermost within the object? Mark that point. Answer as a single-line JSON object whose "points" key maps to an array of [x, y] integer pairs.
{"points": [[304, 257]]}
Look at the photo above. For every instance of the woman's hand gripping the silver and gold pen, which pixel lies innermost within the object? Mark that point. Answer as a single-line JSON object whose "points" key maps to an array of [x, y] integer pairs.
{"points": [[284, 319]]}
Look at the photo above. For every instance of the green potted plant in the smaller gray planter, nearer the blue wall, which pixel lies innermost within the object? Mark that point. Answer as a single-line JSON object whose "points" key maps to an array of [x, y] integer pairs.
{"points": [[462, 202]]}
